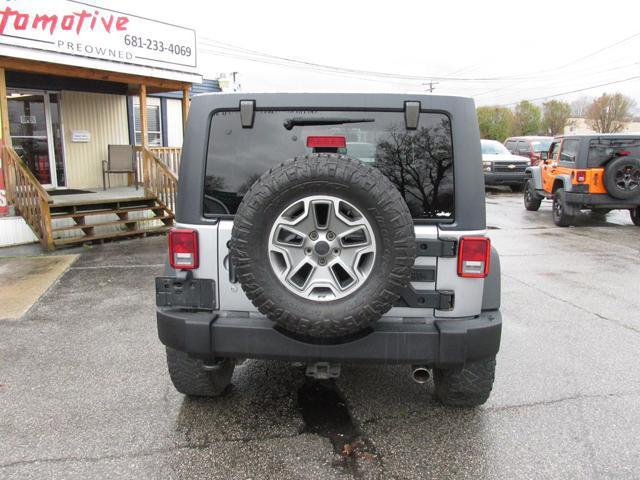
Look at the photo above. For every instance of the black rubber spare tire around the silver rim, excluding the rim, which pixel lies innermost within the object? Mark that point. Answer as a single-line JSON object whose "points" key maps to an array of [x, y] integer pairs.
{"points": [[368, 190]]}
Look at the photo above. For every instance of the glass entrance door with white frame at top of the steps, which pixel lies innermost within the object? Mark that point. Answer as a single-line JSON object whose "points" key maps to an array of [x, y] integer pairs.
{"points": [[36, 134]]}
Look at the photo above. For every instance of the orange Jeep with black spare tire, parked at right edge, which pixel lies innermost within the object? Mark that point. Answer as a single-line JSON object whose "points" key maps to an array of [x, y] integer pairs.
{"points": [[599, 172]]}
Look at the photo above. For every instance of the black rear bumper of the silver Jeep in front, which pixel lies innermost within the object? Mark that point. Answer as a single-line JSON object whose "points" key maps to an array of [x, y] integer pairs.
{"points": [[439, 343]]}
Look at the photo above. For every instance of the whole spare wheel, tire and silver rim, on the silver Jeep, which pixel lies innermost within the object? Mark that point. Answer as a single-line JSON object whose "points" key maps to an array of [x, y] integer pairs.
{"points": [[322, 245]]}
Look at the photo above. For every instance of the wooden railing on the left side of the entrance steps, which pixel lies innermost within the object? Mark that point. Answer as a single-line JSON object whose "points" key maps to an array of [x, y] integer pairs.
{"points": [[27, 195]]}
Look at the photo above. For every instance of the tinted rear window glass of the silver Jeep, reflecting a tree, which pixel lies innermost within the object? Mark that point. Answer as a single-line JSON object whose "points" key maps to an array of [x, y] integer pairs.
{"points": [[418, 162]]}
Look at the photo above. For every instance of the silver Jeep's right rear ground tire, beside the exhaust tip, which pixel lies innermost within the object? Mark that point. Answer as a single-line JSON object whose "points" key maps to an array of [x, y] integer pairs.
{"points": [[469, 386]]}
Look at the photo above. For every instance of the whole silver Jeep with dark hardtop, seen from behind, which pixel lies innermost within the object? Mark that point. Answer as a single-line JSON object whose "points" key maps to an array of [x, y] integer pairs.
{"points": [[325, 258]]}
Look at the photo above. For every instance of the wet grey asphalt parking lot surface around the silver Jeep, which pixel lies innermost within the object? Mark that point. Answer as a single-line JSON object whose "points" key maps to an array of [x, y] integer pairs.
{"points": [[84, 391]]}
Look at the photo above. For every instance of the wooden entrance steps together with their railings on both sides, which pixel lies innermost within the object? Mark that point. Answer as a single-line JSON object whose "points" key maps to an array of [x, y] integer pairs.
{"points": [[60, 220]]}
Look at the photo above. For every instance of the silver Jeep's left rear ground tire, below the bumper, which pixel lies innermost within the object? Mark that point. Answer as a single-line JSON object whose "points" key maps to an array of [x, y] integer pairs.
{"points": [[190, 377]]}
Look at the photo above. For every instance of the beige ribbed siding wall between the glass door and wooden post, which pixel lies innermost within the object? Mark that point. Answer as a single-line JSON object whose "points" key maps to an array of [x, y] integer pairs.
{"points": [[105, 117]]}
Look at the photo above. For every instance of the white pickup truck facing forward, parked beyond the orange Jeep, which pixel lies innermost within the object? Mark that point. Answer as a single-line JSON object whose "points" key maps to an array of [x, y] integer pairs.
{"points": [[501, 167]]}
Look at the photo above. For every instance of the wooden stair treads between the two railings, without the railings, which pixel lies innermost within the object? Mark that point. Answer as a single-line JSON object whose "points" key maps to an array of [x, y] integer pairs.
{"points": [[98, 220]]}
